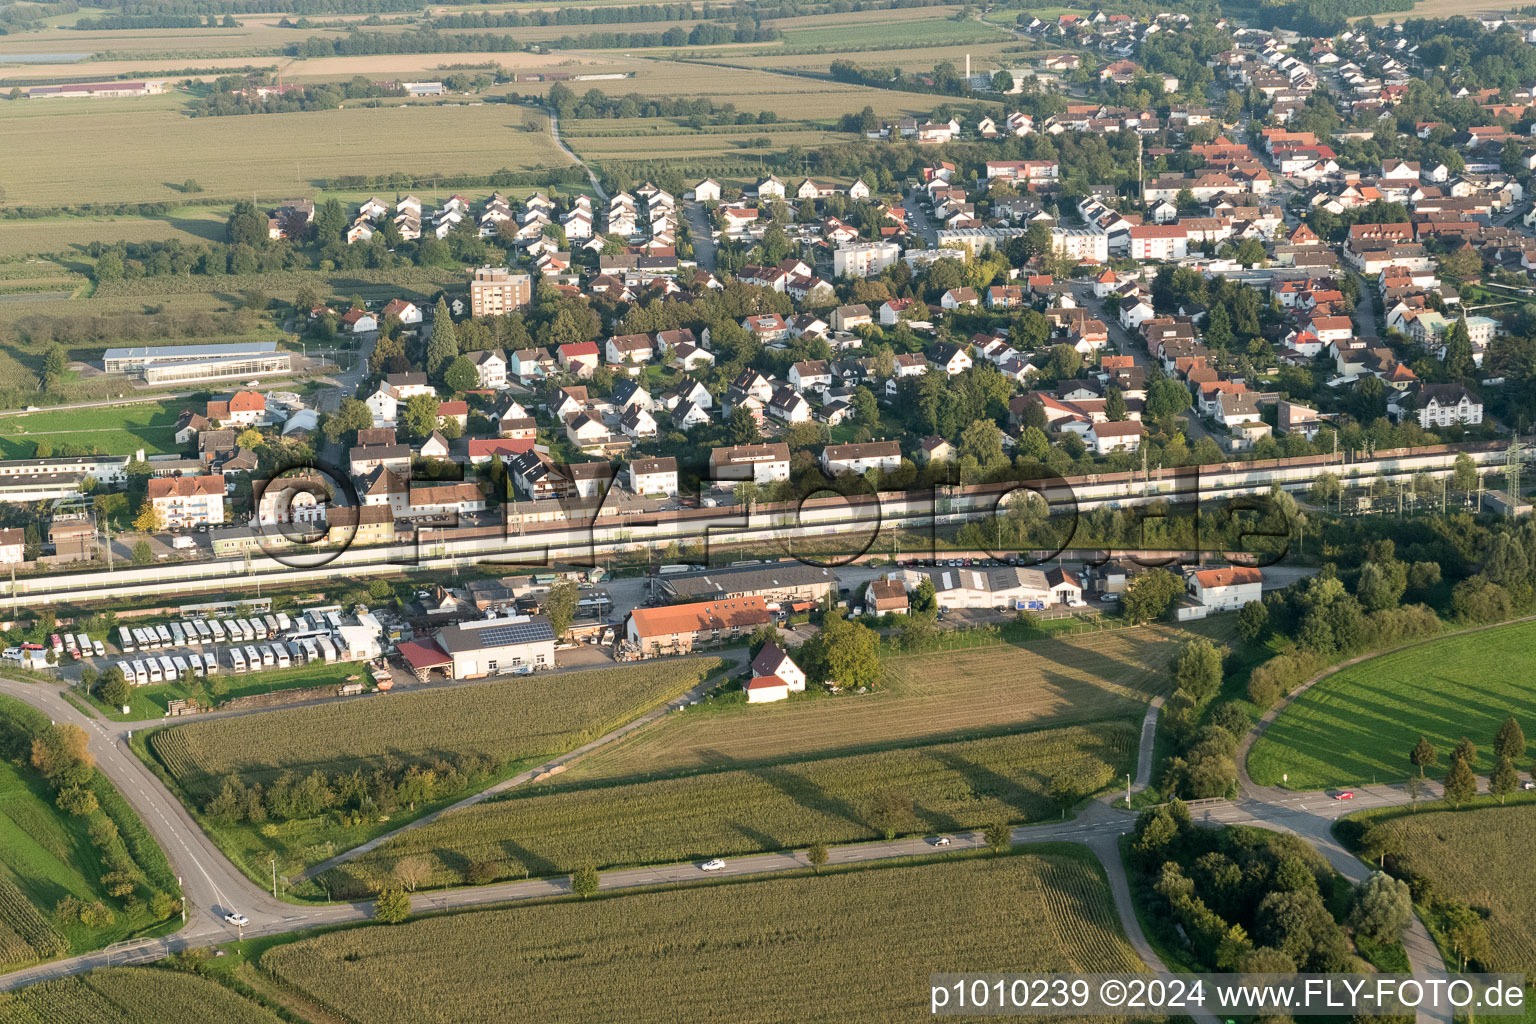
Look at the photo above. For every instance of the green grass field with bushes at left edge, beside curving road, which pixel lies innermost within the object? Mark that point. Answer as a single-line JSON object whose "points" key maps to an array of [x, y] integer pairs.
{"points": [[48, 856]]}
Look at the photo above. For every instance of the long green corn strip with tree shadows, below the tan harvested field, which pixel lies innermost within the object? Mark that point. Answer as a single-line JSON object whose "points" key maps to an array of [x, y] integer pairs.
{"points": [[939, 788]]}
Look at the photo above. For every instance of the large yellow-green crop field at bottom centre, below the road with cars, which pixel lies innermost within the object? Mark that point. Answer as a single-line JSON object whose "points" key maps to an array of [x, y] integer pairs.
{"points": [[846, 946]]}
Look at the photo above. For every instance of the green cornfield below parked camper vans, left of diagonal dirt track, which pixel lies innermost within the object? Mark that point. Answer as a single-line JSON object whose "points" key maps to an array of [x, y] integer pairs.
{"points": [[506, 721]]}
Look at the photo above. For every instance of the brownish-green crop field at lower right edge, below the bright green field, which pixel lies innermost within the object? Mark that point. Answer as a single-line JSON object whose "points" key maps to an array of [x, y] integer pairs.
{"points": [[1480, 856]]}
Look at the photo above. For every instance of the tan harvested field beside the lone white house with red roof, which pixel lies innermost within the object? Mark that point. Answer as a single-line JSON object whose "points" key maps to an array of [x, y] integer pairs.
{"points": [[930, 696]]}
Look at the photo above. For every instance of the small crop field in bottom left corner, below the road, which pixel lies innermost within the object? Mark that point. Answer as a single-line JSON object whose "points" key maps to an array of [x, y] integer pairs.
{"points": [[131, 996]]}
